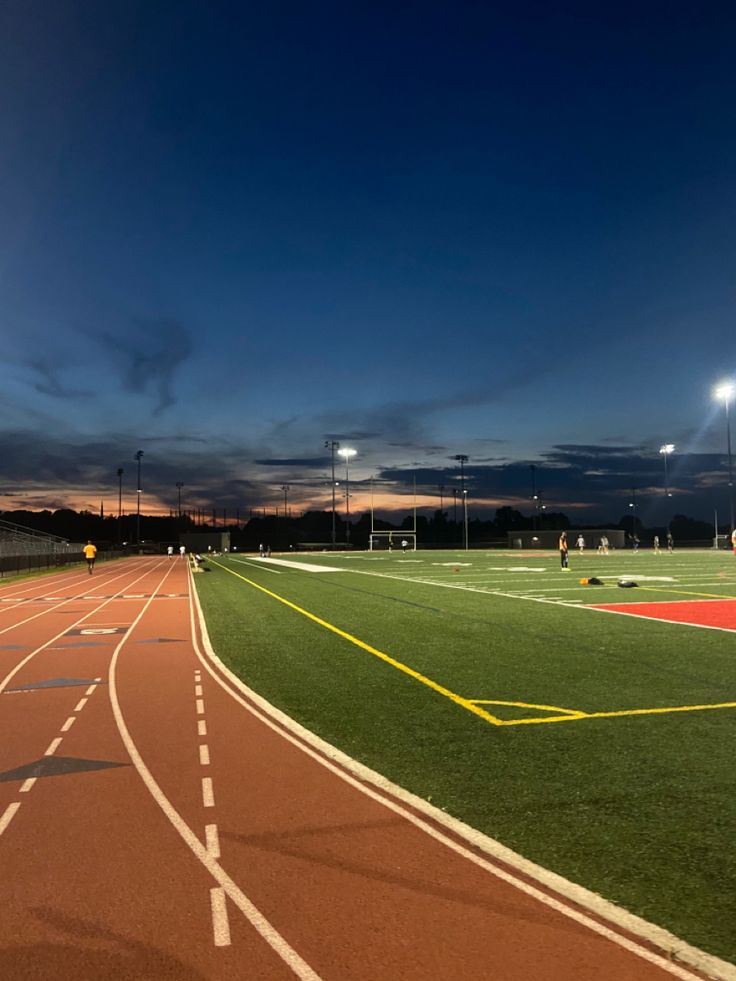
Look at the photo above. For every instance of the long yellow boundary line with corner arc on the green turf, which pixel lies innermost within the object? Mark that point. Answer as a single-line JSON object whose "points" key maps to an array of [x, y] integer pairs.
{"points": [[474, 704]]}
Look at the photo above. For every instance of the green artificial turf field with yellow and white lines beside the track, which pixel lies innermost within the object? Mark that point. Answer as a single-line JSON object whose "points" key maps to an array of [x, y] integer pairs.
{"points": [[596, 744]]}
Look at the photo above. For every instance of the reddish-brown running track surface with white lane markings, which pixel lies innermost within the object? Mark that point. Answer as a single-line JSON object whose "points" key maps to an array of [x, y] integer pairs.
{"points": [[109, 872]]}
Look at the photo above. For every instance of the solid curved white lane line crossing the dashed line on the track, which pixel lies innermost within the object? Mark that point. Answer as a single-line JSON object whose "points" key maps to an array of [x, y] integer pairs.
{"points": [[254, 916]]}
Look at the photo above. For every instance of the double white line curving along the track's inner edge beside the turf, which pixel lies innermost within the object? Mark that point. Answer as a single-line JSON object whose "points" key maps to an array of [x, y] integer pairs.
{"points": [[338, 762]]}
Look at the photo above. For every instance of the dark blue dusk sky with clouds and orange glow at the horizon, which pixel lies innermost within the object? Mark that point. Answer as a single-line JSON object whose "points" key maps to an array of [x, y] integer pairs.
{"points": [[230, 232]]}
